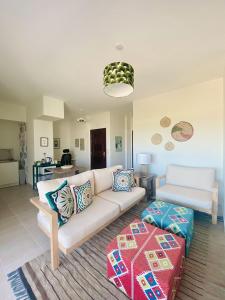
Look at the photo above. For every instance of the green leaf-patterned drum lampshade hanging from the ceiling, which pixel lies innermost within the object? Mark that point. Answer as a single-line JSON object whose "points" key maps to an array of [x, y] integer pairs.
{"points": [[118, 79]]}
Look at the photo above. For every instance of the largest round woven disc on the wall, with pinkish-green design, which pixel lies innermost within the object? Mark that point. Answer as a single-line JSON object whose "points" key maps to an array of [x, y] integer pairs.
{"points": [[182, 131]]}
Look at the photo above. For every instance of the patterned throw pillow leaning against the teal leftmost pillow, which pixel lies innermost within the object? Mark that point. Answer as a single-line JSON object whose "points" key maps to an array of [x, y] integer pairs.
{"points": [[82, 196]]}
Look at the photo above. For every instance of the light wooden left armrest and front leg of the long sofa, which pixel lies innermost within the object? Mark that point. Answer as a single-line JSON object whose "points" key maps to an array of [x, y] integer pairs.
{"points": [[53, 216]]}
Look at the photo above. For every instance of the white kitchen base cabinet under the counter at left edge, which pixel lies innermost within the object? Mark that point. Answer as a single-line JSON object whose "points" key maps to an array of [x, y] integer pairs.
{"points": [[9, 173]]}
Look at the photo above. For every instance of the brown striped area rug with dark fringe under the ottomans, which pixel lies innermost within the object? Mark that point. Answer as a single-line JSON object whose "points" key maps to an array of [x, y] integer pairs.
{"points": [[82, 274]]}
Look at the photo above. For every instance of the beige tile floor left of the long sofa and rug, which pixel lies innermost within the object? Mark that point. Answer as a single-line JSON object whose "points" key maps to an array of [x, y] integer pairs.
{"points": [[20, 238]]}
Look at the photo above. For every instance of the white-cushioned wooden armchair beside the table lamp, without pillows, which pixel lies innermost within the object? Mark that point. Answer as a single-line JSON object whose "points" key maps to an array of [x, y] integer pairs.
{"points": [[191, 187]]}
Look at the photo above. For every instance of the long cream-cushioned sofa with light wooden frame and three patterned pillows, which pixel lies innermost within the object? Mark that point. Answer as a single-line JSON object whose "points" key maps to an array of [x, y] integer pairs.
{"points": [[106, 207]]}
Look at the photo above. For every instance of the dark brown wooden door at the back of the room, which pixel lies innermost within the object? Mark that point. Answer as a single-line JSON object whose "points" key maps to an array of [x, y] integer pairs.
{"points": [[98, 148]]}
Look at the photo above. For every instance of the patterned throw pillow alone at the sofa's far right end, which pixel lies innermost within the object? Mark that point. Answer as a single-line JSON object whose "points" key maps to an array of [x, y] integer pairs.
{"points": [[122, 181]]}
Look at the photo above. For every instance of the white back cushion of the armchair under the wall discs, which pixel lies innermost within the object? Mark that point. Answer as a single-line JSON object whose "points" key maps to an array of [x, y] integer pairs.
{"points": [[194, 177]]}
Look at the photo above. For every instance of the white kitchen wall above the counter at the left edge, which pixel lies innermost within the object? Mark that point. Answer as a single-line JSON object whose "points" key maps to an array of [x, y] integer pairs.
{"points": [[9, 137]]}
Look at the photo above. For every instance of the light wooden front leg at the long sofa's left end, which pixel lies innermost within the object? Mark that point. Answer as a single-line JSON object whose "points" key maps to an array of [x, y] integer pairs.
{"points": [[54, 244]]}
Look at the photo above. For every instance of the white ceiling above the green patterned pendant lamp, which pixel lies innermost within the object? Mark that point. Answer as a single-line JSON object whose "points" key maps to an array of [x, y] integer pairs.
{"points": [[60, 47]]}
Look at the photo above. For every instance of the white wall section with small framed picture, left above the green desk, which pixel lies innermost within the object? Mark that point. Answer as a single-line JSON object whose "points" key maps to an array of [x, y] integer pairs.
{"points": [[43, 129]]}
